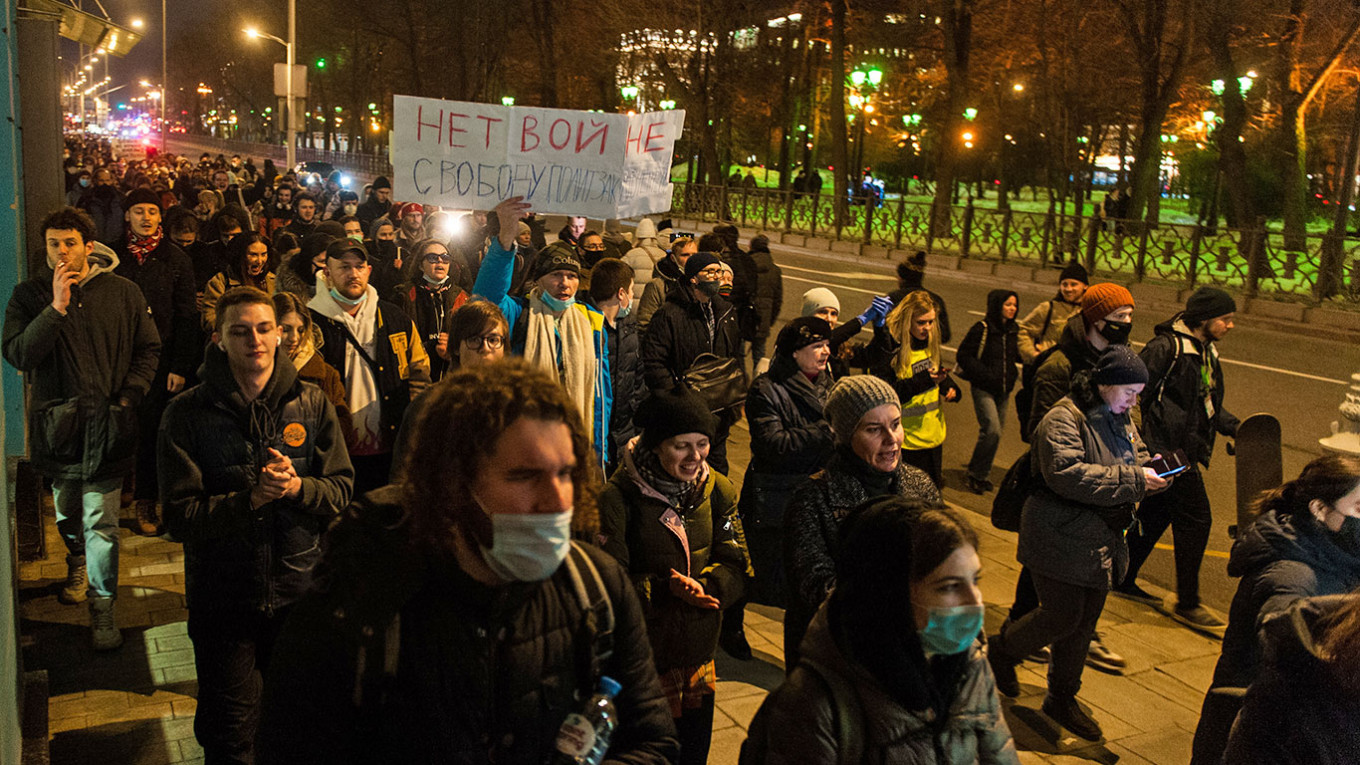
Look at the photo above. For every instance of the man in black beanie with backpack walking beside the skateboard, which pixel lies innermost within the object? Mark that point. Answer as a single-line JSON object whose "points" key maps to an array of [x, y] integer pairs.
{"points": [[1183, 409]]}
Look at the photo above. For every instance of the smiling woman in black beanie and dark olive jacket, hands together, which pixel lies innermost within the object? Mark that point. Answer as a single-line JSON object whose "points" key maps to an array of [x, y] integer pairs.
{"points": [[673, 523]]}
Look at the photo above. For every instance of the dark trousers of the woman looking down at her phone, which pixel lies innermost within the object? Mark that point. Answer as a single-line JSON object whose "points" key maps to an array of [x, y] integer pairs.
{"points": [[1066, 620]]}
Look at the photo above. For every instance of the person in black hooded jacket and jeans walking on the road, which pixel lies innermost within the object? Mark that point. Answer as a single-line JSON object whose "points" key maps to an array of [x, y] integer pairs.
{"points": [[988, 360]]}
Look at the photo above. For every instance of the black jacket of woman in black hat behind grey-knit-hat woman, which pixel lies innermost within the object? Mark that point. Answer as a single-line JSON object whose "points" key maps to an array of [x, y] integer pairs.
{"points": [[789, 431]]}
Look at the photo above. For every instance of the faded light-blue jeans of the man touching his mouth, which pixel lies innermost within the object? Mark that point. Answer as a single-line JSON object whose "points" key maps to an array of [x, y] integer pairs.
{"points": [[88, 518]]}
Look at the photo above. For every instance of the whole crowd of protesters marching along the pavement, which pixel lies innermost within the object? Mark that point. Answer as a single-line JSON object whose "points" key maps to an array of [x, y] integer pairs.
{"points": [[437, 476]]}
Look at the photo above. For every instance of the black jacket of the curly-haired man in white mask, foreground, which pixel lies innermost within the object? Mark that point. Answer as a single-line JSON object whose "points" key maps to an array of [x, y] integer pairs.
{"points": [[478, 673]]}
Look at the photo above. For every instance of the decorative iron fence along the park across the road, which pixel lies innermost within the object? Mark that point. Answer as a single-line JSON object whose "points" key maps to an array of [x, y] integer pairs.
{"points": [[1252, 261]]}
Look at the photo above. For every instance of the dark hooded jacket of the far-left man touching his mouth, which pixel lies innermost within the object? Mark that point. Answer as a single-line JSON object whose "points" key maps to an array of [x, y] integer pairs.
{"points": [[88, 371]]}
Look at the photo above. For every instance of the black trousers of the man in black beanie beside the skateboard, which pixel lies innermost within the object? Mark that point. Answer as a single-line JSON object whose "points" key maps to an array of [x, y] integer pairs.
{"points": [[1185, 508]]}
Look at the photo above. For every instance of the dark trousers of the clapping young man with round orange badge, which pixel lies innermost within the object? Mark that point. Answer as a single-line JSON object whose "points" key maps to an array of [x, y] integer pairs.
{"points": [[231, 654]]}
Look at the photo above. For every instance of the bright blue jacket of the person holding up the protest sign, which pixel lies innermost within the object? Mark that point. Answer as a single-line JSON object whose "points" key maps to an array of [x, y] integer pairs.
{"points": [[493, 284]]}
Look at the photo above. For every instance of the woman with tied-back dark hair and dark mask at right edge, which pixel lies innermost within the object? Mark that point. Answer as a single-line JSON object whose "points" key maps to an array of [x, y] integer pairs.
{"points": [[1305, 542]]}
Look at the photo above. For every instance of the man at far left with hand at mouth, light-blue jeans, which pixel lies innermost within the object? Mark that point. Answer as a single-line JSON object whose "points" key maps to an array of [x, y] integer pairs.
{"points": [[88, 348]]}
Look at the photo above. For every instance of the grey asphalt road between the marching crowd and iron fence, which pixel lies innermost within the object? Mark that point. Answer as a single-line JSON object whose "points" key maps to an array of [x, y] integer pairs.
{"points": [[1294, 376]]}
